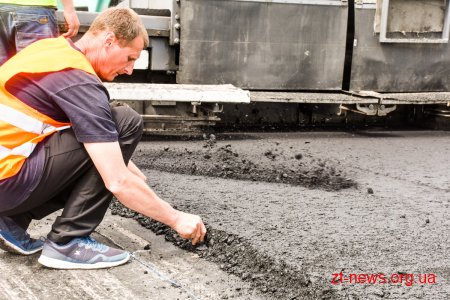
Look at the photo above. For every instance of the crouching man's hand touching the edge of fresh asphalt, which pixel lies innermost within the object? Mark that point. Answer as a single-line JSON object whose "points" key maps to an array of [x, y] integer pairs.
{"points": [[190, 227]]}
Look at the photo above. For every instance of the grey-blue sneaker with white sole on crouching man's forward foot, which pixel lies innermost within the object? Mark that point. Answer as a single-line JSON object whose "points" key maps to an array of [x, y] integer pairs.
{"points": [[81, 253]]}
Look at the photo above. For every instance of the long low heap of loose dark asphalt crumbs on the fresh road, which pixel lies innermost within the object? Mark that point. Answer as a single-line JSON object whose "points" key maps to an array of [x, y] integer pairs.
{"points": [[274, 164]]}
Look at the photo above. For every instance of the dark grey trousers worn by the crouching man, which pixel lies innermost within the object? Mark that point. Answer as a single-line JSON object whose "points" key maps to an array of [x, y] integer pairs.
{"points": [[71, 181]]}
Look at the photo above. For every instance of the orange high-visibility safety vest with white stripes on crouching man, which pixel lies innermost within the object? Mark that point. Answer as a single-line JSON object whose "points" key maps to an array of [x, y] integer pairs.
{"points": [[21, 126]]}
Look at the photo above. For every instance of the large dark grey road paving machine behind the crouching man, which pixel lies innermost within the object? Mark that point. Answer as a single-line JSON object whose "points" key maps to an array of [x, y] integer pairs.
{"points": [[287, 62]]}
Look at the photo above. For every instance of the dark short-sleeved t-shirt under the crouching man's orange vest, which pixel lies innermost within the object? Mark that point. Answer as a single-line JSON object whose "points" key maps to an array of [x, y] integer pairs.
{"points": [[67, 96]]}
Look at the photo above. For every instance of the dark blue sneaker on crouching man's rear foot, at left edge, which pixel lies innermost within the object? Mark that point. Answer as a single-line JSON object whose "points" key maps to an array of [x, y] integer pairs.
{"points": [[15, 239]]}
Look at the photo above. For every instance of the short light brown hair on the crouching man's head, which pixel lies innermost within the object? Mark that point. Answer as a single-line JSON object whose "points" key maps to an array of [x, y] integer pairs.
{"points": [[123, 22]]}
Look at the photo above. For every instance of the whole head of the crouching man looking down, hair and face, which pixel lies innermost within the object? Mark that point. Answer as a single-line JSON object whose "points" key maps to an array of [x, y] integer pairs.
{"points": [[114, 41]]}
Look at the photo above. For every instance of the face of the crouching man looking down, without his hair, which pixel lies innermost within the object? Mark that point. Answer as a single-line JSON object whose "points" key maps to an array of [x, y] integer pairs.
{"points": [[116, 59]]}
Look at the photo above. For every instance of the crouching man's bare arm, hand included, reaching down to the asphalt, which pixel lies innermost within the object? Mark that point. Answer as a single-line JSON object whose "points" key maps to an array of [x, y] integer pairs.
{"points": [[134, 193]]}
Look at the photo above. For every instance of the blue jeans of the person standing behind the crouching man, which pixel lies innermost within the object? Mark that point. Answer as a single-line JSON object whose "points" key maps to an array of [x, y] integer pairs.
{"points": [[23, 25]]}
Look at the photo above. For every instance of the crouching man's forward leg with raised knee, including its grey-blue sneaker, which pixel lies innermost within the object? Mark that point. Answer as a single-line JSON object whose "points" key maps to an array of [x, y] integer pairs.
{"points": [[85, 209]]}
